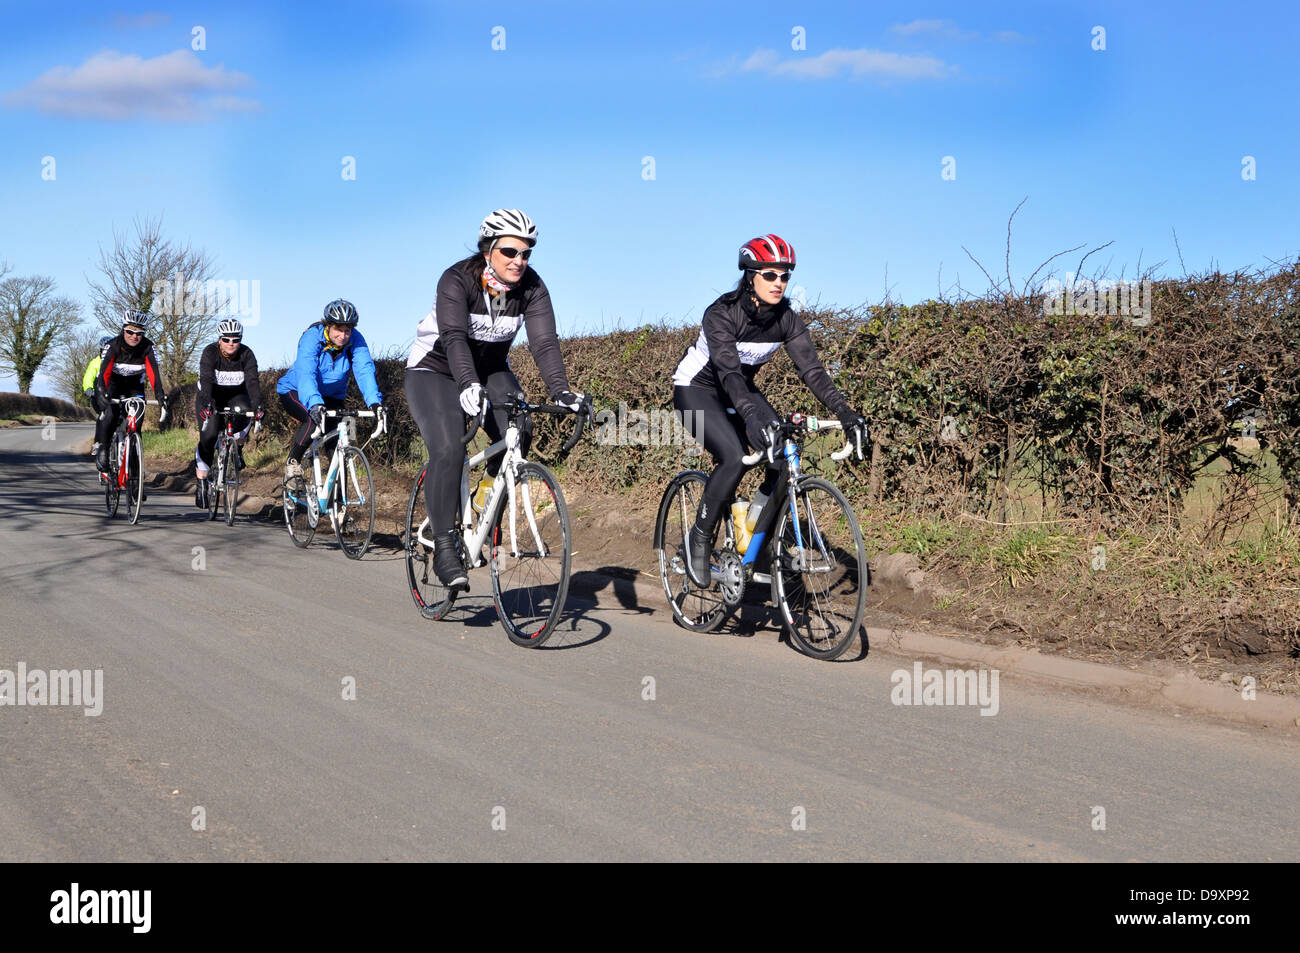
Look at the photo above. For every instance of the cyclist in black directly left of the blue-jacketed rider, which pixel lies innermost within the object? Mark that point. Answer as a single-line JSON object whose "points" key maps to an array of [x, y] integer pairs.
{"points": [[228, 378]]}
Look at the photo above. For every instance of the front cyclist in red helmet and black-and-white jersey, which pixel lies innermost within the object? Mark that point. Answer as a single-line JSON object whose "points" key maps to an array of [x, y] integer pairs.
{"points": [[742, 332]]}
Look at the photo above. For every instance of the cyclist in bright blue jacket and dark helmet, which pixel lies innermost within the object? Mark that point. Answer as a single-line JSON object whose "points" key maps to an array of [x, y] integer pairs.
{"points": [[318, 382]]}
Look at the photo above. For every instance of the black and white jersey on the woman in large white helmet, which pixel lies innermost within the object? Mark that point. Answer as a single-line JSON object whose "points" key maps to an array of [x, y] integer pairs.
{"points": [[470, 332]]}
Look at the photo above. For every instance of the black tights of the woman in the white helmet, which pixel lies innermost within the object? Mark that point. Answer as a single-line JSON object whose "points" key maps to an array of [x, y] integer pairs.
{"points": [[435, 402]]}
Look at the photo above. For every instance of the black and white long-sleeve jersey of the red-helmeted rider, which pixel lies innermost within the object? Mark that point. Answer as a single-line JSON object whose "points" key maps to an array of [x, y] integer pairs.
{"points": [[738, 337]]}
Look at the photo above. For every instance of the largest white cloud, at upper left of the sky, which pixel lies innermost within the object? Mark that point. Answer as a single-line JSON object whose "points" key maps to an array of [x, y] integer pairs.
{"points": [[112, 86]]}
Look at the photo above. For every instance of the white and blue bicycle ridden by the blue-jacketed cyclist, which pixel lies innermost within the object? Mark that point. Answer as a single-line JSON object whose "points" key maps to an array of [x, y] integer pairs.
{"points": [[345, 495]]}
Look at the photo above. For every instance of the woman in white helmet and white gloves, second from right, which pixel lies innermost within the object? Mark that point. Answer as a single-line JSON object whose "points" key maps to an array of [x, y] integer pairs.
{"points": [[462, 353]]}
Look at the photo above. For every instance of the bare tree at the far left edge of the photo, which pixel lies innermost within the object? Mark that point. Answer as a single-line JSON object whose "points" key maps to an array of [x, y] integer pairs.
{"points": [[33, 323]]}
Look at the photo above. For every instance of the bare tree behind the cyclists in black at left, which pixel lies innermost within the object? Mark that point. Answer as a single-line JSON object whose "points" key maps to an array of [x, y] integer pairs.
{"points": [[153, 274]]}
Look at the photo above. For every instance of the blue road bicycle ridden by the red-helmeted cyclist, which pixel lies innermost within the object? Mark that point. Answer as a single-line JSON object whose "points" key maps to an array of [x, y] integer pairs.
{"points": [[816, 560]]}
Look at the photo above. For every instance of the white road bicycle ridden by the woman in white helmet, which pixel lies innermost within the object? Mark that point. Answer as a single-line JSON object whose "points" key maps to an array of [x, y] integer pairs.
{"points": [[525, 523]]}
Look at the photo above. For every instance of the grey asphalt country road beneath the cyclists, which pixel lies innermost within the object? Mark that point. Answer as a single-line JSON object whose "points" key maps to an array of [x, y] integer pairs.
{"points": [[224, 691]]}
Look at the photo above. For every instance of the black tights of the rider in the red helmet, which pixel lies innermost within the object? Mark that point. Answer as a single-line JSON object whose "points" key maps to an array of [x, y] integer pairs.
{"points": [[710, 419]]}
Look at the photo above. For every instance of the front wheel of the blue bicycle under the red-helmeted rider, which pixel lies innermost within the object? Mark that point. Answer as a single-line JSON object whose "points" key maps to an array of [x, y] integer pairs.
{"points": [[820, 570]]}
